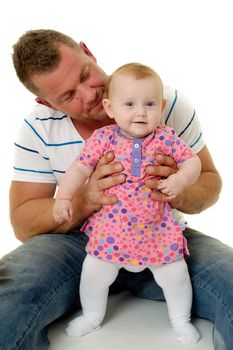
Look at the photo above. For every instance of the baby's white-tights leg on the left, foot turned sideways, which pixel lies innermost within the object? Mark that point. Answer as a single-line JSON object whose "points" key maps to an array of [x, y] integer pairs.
{"points": [[97, 276]]}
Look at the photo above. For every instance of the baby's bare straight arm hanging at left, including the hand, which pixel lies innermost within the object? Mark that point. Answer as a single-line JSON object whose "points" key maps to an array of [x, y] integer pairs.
{"points": [[74, 178]]}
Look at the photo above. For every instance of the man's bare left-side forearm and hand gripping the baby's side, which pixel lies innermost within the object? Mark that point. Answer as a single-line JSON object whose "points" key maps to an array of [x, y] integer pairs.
{"points": [[31, 204]]}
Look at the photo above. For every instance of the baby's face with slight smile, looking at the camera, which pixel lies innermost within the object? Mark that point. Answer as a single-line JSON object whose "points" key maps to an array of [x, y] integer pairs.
{"points": [[136, 104]]}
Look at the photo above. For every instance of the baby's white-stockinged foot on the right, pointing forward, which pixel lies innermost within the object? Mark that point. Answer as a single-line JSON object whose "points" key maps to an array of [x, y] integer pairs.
{"points": [[187, 333]]}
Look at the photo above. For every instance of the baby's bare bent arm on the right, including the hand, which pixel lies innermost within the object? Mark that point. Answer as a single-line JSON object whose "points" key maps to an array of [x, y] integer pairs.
{"points": [[188, 173]]}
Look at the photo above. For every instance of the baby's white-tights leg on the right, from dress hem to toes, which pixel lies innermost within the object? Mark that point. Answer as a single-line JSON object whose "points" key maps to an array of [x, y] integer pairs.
{"points": [[174, 280]]}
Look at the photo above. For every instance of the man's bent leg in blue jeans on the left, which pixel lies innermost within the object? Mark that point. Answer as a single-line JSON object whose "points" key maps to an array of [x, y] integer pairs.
{"points": [[39, 282]]}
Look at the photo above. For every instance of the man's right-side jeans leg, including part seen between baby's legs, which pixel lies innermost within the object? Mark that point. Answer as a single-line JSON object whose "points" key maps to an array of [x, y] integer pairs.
{"points": [[210, 265]]}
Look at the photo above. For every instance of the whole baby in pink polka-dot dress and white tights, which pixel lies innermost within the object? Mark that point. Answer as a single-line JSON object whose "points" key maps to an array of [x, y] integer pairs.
{"points": [[136, 232]]}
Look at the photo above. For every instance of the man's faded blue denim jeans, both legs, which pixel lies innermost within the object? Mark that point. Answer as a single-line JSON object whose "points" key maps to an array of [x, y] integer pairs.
{"points": [[39, 282]]}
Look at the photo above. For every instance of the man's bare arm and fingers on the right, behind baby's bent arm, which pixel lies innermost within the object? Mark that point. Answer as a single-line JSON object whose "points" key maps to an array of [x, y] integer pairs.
{"points": [[198, 197]]}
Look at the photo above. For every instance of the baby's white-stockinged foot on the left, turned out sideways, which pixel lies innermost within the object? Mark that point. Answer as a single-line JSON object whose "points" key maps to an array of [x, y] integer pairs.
{"points": [[81, 326]]}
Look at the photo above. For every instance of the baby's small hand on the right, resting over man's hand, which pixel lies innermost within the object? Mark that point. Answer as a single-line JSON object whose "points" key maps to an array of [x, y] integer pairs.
{"points": [[172, 186]]}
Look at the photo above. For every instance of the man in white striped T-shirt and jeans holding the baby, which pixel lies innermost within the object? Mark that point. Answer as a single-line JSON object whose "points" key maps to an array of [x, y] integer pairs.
{"points": [[40, 278]]}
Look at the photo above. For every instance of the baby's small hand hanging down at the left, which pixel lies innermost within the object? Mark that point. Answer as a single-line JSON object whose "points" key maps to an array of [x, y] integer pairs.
{"points": [[62, 210]]}
